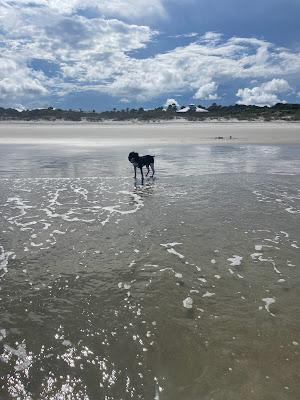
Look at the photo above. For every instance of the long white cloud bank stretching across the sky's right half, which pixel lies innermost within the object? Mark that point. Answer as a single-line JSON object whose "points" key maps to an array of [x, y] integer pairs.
{"points": [[201, 67]]}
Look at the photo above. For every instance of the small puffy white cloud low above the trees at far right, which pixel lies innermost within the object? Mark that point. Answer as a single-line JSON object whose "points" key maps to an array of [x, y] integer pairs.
{"points": [[264, 95]]}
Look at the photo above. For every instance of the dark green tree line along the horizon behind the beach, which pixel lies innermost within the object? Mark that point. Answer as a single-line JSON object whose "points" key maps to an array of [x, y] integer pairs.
{"points": [[280, 111]]}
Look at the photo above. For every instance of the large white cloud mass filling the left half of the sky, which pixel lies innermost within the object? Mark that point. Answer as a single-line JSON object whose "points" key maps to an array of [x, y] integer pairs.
{"points": [[85, 51]]}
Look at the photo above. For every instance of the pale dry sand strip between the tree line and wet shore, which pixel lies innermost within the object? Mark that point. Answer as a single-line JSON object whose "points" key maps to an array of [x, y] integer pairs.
{"points": [[127, 134]]}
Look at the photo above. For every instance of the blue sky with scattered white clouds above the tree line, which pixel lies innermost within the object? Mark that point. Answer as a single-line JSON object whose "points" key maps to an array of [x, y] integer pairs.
{"points": [[101, 54]]}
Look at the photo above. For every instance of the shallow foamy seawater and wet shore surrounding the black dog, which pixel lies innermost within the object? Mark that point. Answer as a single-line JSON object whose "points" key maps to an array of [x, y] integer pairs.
{"points": [[94, 269]]}
